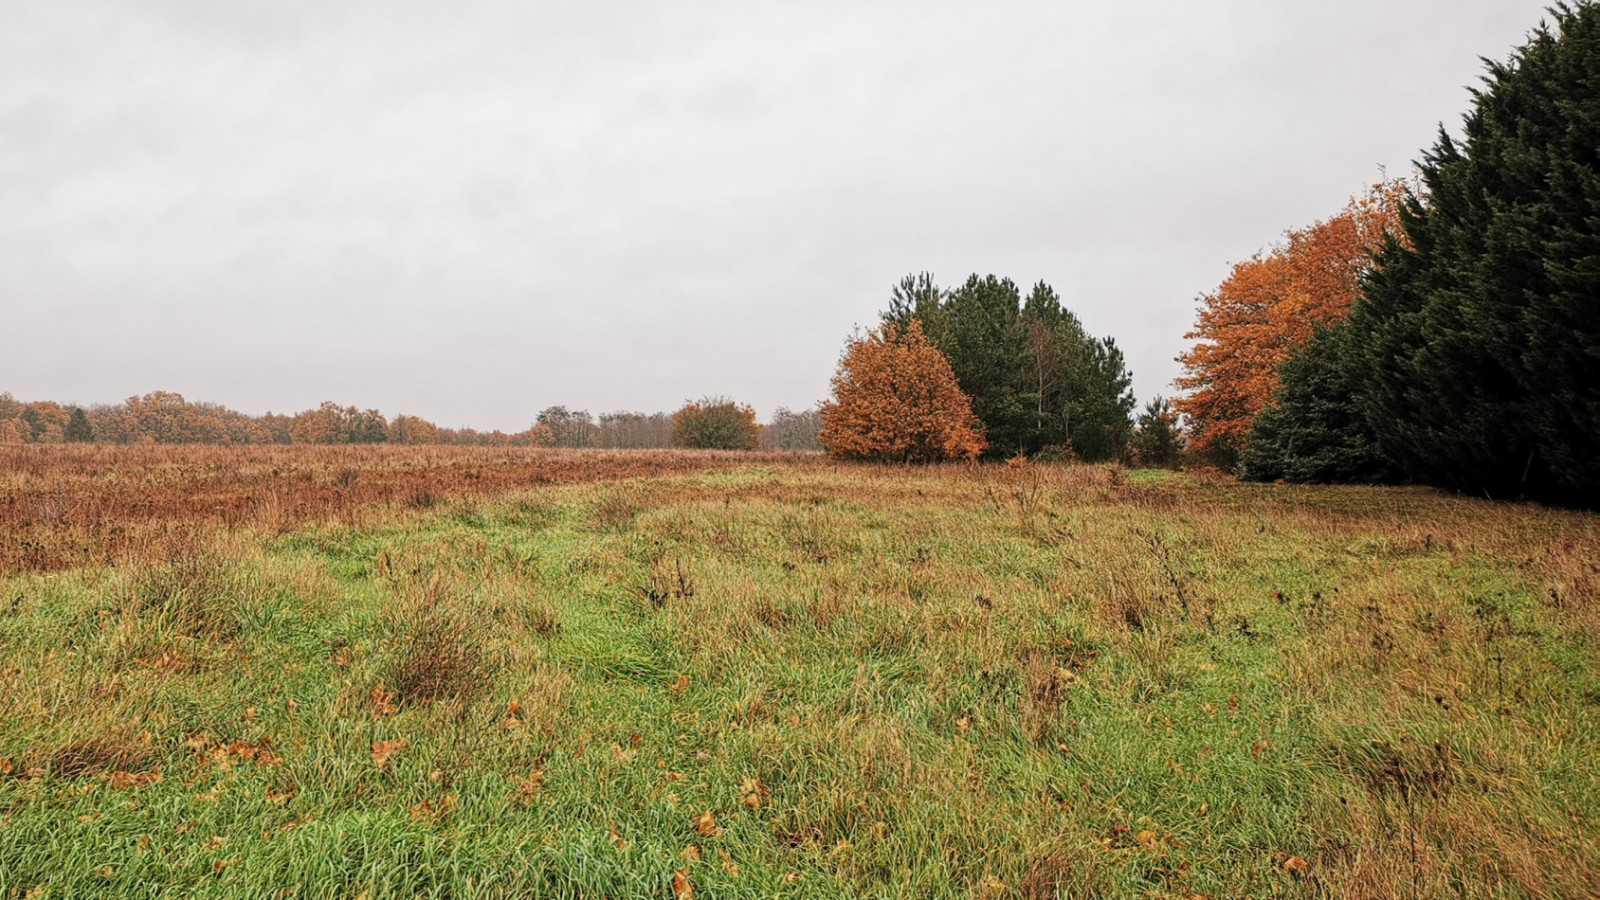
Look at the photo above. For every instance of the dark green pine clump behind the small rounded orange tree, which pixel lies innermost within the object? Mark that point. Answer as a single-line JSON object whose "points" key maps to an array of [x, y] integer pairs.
{"points": [[1034, 376]]}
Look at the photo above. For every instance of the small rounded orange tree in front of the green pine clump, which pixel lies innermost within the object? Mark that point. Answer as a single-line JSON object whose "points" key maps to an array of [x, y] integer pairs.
{"points": [[897, 400]]}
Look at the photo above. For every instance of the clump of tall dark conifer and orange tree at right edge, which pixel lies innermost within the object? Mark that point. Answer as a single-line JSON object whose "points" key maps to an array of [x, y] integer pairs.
{"points": [[1463, 350]]}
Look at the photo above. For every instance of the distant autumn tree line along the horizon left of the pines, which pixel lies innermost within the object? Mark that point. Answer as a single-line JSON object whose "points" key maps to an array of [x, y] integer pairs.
{"points": [[169, 419]]}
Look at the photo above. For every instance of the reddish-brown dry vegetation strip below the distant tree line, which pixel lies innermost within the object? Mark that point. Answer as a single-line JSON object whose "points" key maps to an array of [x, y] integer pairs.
{"points": [[81, 505]]}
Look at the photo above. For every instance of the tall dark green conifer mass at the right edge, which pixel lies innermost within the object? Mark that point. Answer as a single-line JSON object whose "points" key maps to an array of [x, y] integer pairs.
{"points": [[1473, 360]]}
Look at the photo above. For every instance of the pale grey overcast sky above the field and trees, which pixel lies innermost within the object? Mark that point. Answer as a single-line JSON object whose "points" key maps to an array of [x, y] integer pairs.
{"points": [[481, 209]]}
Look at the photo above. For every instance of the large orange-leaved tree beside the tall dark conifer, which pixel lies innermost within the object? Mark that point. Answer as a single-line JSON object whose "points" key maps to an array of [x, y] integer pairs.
{"points": [[1270, 307]]}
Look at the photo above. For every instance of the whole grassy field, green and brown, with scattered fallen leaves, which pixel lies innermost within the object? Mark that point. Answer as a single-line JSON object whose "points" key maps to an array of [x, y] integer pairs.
{"points": [[514, 673]]}
